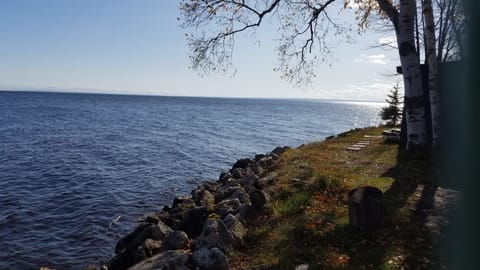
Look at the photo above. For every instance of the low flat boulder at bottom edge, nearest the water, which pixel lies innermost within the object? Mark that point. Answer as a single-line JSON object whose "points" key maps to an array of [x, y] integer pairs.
{"points": [[166, 260]]}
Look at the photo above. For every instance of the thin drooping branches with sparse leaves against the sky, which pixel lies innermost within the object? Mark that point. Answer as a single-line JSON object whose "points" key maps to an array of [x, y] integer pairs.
{"points": [[303, 27]]}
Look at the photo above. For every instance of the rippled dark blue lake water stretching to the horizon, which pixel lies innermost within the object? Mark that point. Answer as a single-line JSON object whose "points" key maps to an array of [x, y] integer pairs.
{"points": [[71, 164]]}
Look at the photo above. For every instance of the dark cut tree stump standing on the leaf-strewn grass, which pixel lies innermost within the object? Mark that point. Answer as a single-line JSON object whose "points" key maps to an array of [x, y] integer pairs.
{"points": [[365, 208]]}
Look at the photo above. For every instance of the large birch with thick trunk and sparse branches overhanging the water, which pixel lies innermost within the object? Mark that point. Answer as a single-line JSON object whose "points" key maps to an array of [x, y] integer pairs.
{"points": [[304, 25]]}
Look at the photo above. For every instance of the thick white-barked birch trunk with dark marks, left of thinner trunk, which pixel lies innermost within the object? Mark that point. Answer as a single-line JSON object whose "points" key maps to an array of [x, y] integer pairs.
{"points": [[412, 77]]}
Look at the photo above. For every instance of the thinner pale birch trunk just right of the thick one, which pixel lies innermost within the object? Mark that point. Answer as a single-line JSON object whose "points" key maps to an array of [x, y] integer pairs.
{"points": [[432, 67]]}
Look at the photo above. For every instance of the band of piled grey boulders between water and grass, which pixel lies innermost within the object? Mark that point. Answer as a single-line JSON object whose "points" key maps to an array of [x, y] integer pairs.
{"points": [[198, 231]]}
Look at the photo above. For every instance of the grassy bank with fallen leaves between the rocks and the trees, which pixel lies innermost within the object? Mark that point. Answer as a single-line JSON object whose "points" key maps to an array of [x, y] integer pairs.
{"points": [[307, 222]]}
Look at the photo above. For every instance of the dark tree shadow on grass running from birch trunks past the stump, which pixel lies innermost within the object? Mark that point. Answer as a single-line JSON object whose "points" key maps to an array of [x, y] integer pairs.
{"points": [[404, 241]]}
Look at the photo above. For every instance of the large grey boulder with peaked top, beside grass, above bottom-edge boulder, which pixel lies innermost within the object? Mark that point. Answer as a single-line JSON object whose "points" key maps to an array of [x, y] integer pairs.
{"points": [[215, 234]]}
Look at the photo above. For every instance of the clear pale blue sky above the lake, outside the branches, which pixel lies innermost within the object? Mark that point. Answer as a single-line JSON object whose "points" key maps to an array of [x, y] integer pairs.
{"points": [[137, 47]]}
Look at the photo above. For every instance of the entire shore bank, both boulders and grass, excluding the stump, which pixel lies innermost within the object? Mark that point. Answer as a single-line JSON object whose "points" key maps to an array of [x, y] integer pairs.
{"points": [[289, 210]]}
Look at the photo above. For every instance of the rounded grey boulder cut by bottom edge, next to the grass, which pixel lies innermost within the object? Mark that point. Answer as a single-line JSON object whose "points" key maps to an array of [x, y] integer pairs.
{"points": [[210, 259]]}
